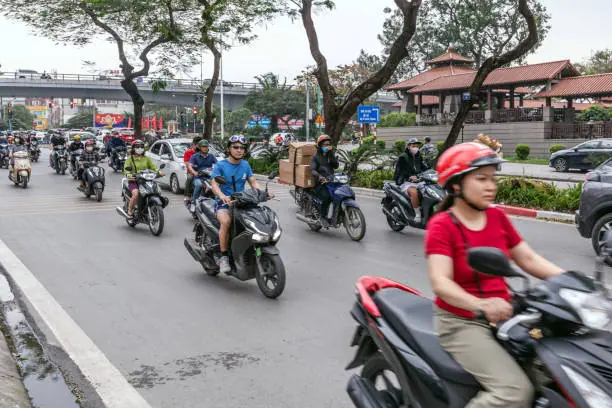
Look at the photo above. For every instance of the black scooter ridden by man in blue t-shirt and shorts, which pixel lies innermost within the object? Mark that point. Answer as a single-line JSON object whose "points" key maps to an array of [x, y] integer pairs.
{"points": [[254, 234]]}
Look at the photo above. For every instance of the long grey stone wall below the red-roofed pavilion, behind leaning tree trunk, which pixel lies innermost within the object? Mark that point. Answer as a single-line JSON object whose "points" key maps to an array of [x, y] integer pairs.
{"points": [[509, 134]]}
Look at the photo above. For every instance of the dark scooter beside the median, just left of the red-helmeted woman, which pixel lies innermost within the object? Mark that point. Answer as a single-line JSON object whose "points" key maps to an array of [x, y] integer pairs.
{"points": [[397, 206]]}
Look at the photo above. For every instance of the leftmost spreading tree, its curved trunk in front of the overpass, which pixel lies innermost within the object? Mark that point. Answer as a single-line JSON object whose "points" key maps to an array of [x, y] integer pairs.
{"points": [[146, 28]]}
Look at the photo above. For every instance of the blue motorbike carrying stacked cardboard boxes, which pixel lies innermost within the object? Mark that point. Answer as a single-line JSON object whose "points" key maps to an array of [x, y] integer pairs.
{"points": [[345, 209]]}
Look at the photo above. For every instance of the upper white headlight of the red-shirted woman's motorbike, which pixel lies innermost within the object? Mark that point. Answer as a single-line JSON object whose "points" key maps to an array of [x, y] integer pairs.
{"points": [[593, 307]]}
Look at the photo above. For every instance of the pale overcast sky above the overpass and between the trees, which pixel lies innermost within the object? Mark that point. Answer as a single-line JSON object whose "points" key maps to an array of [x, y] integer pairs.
{"points": [[578, 29]]}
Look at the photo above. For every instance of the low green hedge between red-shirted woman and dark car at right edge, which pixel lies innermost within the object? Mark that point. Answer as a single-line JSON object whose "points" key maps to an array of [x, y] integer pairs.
{"points": [[537, 194]]}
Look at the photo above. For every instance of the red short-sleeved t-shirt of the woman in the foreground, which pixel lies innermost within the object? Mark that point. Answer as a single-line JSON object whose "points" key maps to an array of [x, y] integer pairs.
{"points": [[443, 238]]}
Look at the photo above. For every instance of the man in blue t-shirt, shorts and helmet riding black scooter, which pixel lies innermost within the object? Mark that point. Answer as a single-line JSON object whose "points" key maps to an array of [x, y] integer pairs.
{"points": [[237, 172]]}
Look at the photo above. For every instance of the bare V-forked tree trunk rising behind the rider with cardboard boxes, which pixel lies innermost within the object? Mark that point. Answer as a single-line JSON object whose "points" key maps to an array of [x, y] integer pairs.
{"points": [[338, 113]]}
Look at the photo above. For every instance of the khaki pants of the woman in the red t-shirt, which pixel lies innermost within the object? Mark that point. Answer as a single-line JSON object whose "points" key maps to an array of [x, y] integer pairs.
{"points": [[472, 345]]}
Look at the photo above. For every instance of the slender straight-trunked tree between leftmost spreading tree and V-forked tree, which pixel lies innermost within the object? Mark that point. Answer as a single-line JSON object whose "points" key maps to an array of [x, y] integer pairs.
{"points": [[221, 22]]}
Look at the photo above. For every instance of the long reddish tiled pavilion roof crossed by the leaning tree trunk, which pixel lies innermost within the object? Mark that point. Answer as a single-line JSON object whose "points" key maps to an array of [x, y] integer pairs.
{"points": [[524, 74]]}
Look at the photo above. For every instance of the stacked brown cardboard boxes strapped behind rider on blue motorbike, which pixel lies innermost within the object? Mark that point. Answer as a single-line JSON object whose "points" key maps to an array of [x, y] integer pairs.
{"points": [[296, 170]]}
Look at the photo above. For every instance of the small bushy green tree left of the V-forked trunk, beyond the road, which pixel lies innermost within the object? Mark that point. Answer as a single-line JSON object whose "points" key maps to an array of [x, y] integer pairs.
{"points": [[276, 100]]}
